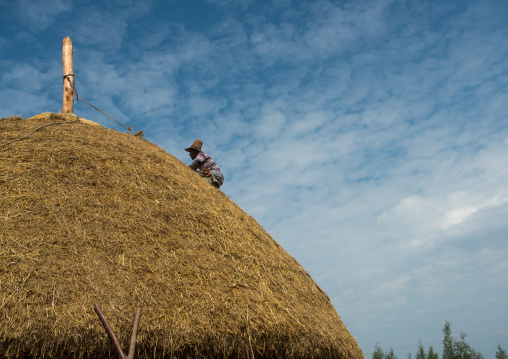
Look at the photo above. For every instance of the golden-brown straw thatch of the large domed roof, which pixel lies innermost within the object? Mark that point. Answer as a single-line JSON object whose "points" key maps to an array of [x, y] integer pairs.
{"points": [[90, 215]]}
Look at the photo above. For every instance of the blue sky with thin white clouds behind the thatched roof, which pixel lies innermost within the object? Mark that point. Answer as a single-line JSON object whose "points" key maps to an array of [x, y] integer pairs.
{"points": [[369, 138]]}
